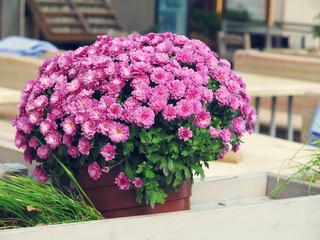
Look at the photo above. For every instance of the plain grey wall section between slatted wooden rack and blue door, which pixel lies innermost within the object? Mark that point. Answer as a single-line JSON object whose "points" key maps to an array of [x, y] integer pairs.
{"points": [[136, 15]]}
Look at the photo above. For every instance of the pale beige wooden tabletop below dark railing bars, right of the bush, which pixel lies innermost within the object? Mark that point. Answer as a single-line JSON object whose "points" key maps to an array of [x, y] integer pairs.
{"points": [[262, 153]]}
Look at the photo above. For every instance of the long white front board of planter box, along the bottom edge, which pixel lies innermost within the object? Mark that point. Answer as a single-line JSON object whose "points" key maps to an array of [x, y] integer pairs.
{"points": [[283, 219]]}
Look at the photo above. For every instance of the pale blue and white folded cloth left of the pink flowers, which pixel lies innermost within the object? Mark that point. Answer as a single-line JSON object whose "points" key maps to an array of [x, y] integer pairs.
{"points": [[22, 46]]}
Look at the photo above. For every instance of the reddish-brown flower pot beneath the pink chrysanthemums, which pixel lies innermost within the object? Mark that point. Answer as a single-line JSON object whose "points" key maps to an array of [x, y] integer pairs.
{"points": [[112, 202]]}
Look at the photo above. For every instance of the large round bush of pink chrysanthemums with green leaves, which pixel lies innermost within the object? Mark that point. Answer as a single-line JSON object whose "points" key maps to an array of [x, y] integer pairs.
{"points": [[155, 107]]}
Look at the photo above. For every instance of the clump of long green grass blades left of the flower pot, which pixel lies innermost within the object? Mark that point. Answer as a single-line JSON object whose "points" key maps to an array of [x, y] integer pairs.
{"points": [[26, 203]]}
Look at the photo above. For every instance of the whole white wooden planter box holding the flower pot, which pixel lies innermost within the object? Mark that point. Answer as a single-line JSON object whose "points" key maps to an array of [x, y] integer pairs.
{"points": [[235, 207]]}
